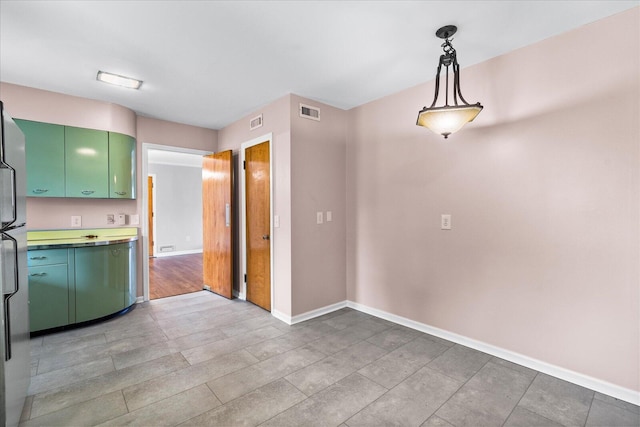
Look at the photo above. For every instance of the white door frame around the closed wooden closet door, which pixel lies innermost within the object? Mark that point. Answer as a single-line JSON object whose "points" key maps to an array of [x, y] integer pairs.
{"points": [[243, 214]]}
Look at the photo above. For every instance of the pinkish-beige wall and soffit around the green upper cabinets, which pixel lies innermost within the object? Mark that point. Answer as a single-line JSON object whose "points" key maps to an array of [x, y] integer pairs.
{"points": [[39, 105]]}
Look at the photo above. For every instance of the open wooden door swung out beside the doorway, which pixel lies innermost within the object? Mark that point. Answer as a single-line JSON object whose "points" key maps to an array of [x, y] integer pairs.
{"points": [[217, 220]]}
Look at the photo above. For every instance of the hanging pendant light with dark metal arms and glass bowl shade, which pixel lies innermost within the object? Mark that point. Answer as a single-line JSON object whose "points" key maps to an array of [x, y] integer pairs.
{"points": [[448, 119]]}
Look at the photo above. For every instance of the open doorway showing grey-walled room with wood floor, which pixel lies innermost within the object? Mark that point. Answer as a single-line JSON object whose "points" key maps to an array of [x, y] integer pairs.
{"points": [[176, 253]]}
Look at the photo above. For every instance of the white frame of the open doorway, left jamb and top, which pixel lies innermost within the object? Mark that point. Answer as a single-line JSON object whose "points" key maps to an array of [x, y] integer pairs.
{"points": [[145, 200]]}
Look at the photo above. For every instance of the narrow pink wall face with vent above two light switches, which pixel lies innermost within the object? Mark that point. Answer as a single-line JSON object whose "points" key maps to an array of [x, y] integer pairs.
{"points": [[318, 184]]}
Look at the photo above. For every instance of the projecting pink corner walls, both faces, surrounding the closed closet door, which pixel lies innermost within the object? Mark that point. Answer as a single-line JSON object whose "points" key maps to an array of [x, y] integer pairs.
{"points": [[309, 176]]}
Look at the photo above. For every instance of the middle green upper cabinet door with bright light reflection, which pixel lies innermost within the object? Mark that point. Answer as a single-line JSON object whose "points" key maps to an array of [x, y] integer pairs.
{"points": [[86, 163]]}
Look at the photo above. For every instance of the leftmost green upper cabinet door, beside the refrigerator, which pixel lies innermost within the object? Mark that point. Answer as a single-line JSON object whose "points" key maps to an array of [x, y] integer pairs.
{"points": [[45, 158]]}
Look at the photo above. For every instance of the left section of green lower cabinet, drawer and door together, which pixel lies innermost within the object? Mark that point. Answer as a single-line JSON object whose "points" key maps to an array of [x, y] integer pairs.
{"points": [[51, 296]]}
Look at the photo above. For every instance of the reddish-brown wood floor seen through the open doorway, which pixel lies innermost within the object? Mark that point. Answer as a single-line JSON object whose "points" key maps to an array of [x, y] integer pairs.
{"points": [[175, 275]]}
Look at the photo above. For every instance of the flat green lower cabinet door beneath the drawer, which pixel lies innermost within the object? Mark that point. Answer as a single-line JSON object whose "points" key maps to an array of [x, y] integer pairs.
{"points": [[48, 296]]}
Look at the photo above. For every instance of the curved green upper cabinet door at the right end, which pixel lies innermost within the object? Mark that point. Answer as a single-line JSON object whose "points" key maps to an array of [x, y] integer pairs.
{"points": [[122, 166]]}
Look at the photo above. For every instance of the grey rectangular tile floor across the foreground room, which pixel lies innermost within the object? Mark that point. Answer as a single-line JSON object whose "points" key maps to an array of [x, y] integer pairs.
{"points": [[199, 359]]}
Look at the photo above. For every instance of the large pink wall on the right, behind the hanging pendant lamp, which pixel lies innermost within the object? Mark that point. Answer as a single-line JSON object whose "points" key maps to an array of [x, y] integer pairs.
{"points": [[543, 257]]}
